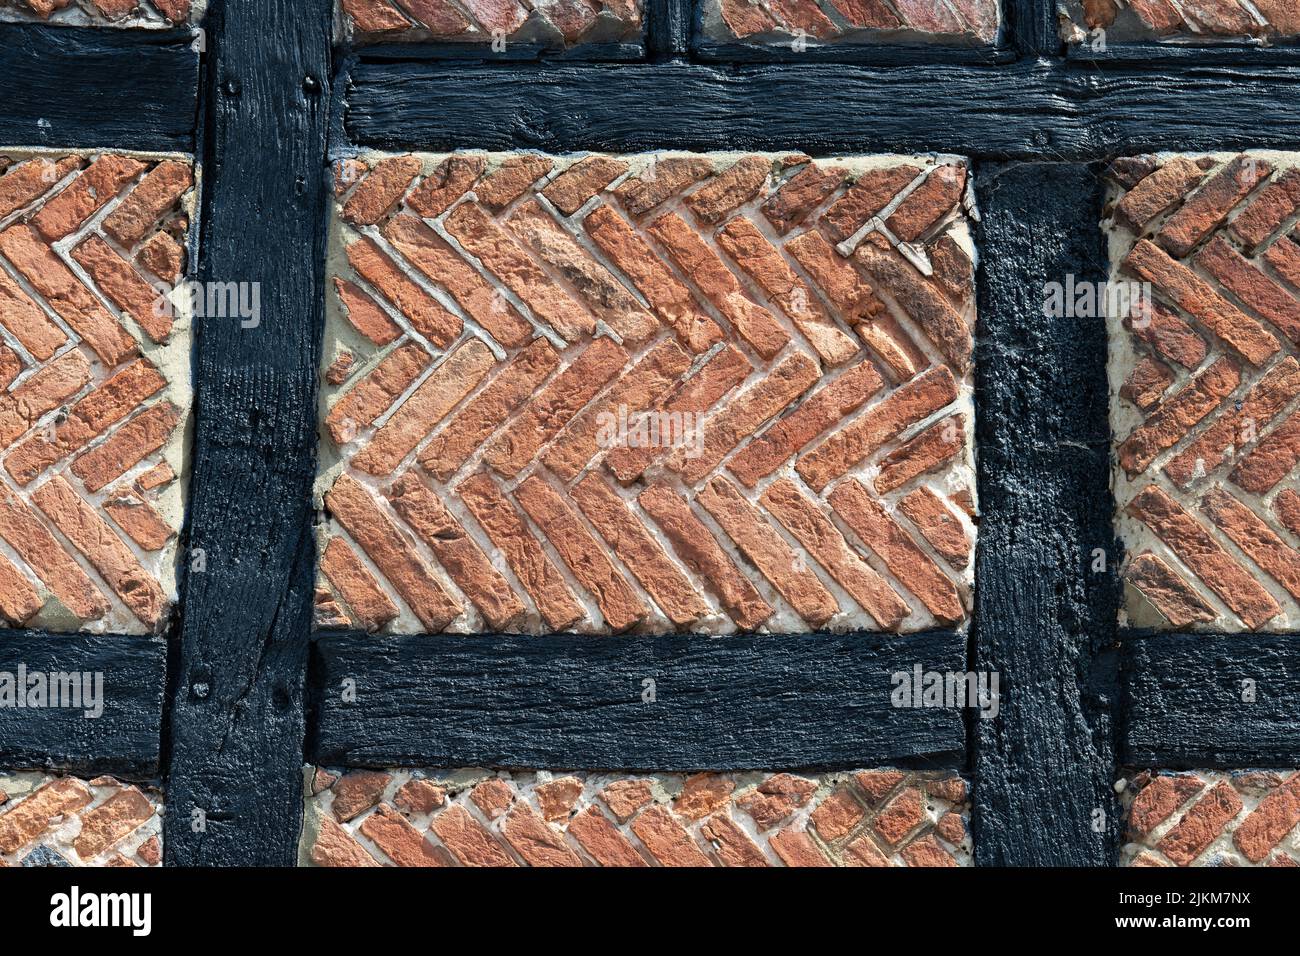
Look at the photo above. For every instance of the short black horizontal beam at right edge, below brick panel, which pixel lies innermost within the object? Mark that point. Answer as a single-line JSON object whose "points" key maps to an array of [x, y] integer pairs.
{"points": [[1212, 702]]}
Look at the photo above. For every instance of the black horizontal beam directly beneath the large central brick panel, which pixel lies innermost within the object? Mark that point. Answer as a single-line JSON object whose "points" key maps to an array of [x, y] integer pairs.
{"points": [[631, 704]]}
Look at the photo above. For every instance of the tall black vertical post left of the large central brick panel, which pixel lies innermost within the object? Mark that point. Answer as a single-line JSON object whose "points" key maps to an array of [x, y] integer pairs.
{"points": [[235, 794]]}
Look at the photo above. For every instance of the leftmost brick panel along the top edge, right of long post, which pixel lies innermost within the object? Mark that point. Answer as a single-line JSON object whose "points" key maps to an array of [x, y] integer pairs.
{"points": [[549, 23]]}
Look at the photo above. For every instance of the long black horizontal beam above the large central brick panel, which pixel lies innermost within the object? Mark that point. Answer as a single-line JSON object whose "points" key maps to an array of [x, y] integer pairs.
{"points": [[1034, 110]]}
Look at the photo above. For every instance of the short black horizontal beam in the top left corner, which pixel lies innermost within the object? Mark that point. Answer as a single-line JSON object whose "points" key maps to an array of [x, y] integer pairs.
{"points": [[81, 88]]}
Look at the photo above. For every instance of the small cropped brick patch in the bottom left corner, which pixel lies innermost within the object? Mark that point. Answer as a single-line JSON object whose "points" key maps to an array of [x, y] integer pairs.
{"points": [[67, 821]]}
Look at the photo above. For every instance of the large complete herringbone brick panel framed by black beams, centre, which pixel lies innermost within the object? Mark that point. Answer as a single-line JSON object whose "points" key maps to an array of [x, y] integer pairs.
{"points": [[648, 393]]}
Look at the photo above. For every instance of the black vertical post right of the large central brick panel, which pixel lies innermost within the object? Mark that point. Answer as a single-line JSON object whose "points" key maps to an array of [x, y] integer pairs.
{"points": [[1046, 620]]}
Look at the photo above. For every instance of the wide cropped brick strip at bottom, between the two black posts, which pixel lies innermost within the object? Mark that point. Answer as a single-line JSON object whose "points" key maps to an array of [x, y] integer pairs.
{"points": [[473, 819]]}
